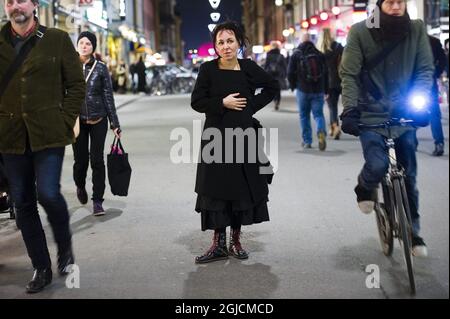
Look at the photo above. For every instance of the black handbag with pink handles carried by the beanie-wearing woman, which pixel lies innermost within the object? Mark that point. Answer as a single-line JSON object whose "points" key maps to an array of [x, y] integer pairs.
{"points": [[119, 169]]}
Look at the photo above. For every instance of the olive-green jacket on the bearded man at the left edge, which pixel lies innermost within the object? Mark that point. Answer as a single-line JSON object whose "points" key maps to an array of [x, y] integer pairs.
{"points": [[44, 96]]}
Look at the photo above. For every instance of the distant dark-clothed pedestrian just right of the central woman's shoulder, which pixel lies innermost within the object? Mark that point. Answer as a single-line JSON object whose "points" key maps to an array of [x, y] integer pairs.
{"points": [[276, 66]]}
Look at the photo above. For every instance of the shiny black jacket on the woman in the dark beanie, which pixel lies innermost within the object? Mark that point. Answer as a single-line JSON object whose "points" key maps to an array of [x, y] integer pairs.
{"points": [[99, 100]]}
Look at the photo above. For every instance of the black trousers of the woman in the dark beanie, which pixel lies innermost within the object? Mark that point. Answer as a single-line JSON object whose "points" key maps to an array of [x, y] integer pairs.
{"points": [[83, 152]]}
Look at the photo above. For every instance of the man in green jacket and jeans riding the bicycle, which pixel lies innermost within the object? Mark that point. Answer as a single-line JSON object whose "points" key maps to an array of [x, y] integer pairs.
{"points": [[405, 71]]}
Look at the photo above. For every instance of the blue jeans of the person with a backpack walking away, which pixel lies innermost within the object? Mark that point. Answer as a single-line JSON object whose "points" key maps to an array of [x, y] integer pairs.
{"points": [[306, 103]]}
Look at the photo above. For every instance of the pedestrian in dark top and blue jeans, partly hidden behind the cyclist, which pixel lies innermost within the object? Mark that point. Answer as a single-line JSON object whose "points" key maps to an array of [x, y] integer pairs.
{"points": [[440, 64]]}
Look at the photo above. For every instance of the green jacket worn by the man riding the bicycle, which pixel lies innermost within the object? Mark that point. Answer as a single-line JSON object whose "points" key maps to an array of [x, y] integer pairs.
{"points": [[408, 68]]}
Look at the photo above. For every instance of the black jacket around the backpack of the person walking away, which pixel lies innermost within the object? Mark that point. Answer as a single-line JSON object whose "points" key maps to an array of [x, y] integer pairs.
{"points": [[296, 80]]}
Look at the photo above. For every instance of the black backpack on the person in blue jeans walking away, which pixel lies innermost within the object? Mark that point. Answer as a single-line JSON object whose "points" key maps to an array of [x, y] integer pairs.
{"points": [[311, 66]]}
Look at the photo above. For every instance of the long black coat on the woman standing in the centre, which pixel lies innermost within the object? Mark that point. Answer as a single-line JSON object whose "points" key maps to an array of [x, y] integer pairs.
{"points": [[231, 181]]}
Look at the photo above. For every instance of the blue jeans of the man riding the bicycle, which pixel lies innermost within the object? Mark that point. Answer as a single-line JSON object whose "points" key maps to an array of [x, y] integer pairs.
{"points": [[377, 164]]}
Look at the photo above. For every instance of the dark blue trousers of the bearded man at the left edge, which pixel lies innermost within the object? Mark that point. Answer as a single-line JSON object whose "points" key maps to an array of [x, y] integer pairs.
{"points": [[35, 176]]}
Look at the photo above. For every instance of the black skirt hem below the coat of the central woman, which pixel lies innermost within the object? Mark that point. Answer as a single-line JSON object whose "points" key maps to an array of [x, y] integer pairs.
{"points": [[219, 213]]}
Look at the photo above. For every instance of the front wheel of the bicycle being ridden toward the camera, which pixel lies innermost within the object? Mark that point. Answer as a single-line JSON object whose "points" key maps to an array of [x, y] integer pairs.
{"points": [[405, 232]]}
